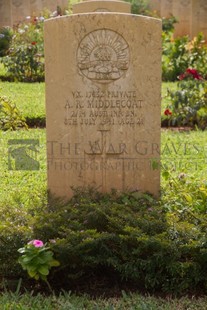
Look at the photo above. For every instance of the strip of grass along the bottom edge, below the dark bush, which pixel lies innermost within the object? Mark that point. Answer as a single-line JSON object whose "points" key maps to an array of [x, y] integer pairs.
{"points": [[126, 302]]}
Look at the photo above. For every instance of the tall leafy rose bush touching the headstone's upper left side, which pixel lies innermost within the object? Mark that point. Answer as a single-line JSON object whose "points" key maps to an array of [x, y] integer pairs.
{"points": [[25, 58]]}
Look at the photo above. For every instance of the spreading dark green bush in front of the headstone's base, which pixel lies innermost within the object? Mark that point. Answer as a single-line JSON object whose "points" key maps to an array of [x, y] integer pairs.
{"points": [[128, 237]]}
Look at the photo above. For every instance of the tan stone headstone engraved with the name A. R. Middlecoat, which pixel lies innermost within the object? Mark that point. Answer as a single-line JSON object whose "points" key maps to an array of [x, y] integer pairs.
{"points": [[103, 81]]}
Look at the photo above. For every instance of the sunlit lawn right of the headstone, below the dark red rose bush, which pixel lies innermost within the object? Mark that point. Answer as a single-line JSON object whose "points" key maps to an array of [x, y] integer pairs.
{"points": [[184, 152]]}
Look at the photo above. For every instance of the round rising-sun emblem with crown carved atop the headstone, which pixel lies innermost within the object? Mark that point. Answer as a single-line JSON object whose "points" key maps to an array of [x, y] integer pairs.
{"points": [[103, 56]]}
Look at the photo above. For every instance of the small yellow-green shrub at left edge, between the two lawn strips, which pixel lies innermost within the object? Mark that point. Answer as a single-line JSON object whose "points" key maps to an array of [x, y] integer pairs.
{"points": [[10, 116]]}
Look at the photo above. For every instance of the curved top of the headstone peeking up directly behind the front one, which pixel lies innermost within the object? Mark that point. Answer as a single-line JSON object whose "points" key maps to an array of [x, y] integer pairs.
{"points": [[102, 6]]}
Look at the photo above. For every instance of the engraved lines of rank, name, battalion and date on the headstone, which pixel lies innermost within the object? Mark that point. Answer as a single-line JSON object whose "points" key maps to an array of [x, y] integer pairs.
{"points": [[92, 108]]}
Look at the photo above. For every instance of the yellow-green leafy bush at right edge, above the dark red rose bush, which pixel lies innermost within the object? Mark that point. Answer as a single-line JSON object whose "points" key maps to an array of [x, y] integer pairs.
{"points": [[180, 54]]}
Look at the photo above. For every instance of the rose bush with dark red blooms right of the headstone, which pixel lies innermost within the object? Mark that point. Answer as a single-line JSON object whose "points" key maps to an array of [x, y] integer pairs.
{"points": [[188, 104]]}
